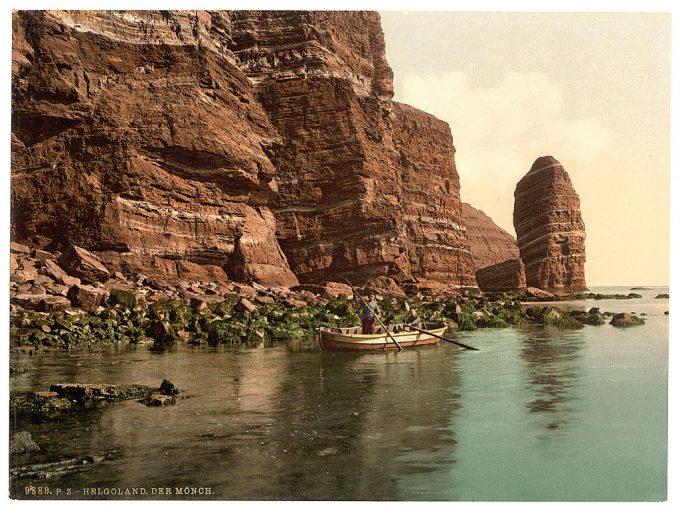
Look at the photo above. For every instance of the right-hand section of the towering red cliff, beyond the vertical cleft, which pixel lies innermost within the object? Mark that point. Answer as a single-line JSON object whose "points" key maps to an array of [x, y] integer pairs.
{"points": [[352, 166]]}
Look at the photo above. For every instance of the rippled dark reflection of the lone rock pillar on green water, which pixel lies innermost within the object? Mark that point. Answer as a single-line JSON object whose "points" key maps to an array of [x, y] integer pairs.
{"points": [[553, 360]]}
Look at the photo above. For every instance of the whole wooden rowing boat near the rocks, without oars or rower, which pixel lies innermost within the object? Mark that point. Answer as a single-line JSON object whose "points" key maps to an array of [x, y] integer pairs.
{"points": [[350, 338]]}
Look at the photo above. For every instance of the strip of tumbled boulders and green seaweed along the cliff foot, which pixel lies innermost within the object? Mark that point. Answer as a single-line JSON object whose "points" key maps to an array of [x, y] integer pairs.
{"points": [[71, 301]]}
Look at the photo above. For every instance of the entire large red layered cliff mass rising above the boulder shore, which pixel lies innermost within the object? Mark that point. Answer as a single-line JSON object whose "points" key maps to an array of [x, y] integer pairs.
{"points": [[254, 145]]}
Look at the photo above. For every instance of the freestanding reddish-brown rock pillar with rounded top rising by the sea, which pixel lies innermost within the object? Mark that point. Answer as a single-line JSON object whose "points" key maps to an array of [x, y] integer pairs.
{"points": [[550, 230]]}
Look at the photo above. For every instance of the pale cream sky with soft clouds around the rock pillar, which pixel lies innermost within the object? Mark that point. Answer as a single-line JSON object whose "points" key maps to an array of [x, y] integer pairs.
{"points": [[592, 90]]}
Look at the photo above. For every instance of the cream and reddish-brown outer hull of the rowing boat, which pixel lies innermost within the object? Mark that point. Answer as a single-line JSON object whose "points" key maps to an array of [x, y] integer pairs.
{"points": [[330, 339]]}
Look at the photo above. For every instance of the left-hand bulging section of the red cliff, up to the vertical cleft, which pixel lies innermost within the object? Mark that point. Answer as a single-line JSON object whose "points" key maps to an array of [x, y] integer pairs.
{"points": [[137, 136]]}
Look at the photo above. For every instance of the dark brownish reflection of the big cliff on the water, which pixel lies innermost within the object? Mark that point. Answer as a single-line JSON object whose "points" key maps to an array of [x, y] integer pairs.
{"points": [[286, 422]]}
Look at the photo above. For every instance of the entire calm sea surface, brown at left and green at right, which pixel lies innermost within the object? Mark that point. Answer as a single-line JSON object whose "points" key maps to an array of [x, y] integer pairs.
{"points": [[536, 414]]}
